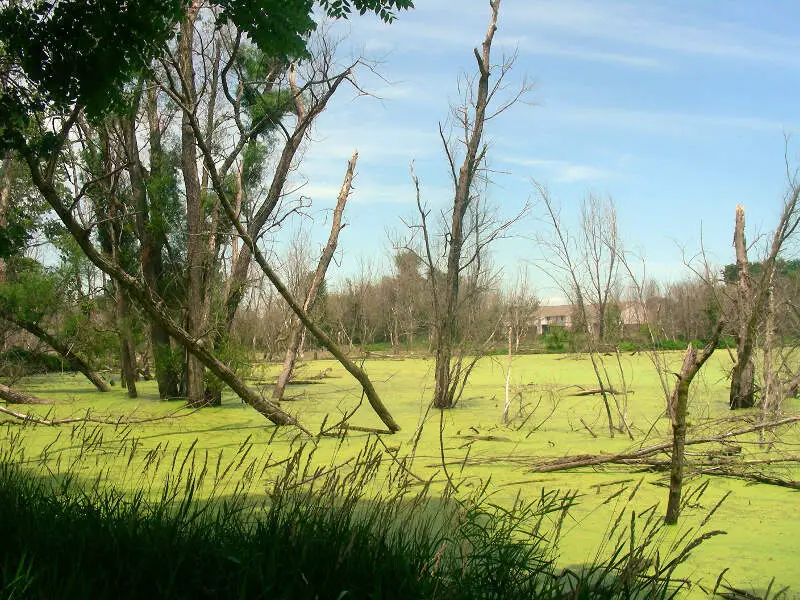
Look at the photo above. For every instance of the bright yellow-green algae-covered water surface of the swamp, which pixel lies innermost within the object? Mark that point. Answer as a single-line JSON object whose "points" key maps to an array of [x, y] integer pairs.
{"points": [[469, 443]]}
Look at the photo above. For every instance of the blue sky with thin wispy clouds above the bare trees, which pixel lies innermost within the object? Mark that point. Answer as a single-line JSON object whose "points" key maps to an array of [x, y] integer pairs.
{"points": [[678, 110]]}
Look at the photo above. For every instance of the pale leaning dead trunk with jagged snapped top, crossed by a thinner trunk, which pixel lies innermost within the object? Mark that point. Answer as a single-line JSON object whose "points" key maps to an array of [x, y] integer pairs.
{"points": [[296, 335]]}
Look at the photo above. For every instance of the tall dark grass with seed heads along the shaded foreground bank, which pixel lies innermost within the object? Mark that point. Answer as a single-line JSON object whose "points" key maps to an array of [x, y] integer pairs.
{"points": [[263, 528]]}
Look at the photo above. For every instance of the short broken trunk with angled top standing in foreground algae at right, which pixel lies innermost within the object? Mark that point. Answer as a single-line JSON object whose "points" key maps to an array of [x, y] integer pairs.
{"points": [[679, 404]]}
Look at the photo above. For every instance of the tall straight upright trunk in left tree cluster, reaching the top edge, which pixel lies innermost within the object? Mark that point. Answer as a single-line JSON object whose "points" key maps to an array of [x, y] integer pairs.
{"points": [[195, 218]]}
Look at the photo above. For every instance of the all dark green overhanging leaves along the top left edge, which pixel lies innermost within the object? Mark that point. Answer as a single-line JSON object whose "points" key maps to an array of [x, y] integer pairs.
{"points": [[65, 52]]}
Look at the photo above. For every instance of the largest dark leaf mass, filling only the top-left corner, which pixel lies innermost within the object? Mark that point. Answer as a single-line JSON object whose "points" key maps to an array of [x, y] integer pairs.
{"points": [[79, 52]]}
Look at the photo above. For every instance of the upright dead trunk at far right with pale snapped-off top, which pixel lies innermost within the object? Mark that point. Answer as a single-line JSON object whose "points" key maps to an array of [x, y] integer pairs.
{"points": [[742, 393]]}
